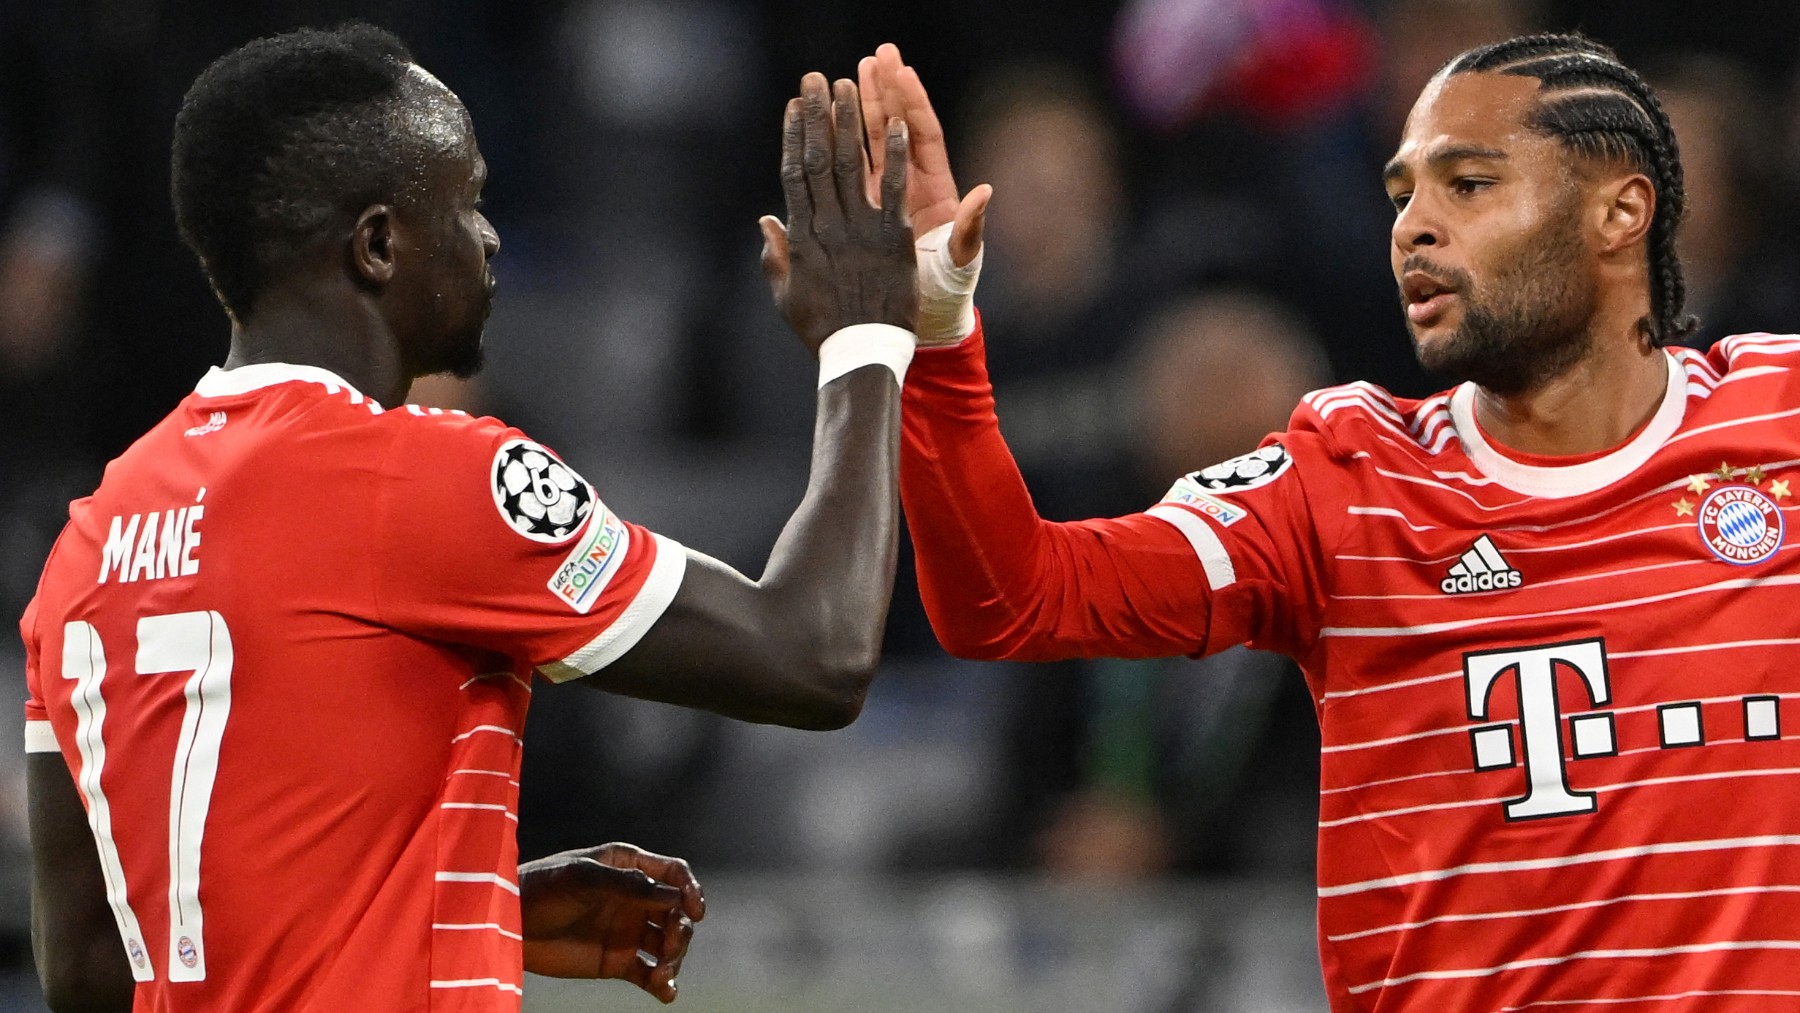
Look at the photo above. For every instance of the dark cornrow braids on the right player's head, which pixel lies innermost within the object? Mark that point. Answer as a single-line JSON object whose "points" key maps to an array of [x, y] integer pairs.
{"points": [[1601, 109]]}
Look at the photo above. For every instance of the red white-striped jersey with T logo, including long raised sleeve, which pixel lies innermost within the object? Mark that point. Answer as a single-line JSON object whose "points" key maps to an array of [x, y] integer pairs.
{"points": [[1556, 695]]}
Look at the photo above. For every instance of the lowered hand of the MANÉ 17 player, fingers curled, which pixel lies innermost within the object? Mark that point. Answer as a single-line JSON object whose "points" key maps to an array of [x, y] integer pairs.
{"points": [[591, 913]]}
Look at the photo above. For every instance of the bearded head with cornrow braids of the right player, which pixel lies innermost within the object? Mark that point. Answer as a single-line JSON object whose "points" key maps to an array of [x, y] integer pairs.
{"points": [[1538, 192]]}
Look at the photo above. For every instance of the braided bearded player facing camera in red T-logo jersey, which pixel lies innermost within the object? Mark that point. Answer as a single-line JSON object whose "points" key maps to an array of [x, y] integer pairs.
{"points": [[1549, 616]]}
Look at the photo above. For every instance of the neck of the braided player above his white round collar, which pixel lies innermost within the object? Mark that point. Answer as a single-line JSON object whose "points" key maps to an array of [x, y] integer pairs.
{"points": [[1590, 408]]}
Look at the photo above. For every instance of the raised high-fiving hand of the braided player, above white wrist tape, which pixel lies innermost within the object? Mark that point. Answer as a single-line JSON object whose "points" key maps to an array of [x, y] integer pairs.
{"points": [[892, 89]]}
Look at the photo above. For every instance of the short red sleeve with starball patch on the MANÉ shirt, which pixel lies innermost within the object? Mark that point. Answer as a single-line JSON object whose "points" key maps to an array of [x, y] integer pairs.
{"points": [[489, 539]]}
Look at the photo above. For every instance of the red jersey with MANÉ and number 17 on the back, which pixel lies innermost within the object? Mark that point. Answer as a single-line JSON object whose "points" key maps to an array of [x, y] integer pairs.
{"points": [[287, 650]]}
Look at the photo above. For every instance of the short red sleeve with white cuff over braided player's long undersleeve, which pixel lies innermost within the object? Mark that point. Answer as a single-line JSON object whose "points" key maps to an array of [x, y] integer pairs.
{"points": [[1252, 523]]}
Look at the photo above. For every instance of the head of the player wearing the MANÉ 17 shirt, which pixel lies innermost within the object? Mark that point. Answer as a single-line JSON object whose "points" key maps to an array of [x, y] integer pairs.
{"points": [[332, 154]]}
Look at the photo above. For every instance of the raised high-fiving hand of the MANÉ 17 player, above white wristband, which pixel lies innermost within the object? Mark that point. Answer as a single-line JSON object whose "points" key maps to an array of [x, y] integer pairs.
{"points": [[840, 260]]}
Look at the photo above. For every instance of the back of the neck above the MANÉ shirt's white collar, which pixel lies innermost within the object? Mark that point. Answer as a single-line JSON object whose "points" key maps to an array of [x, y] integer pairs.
{"points": [[319, 325]]}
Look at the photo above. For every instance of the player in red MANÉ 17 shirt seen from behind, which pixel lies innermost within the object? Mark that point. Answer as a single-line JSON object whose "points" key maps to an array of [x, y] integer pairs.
{"points": [[280, 661]]}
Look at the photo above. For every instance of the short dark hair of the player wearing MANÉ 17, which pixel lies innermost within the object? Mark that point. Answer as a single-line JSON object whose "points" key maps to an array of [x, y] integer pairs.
{"points": [[278, 141]]}
